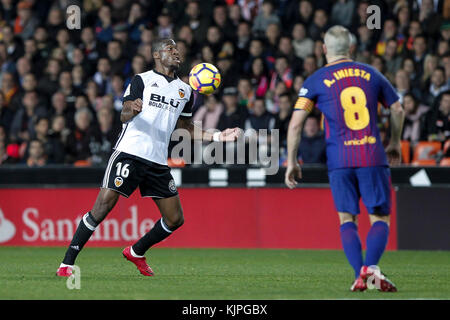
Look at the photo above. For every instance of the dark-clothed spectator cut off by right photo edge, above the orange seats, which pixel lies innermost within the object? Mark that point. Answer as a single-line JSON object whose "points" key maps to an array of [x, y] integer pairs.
{"points": [[437, 122]]}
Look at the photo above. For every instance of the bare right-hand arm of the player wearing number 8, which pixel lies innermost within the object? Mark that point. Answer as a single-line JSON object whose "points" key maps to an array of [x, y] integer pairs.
{"points": [[393, 150]]}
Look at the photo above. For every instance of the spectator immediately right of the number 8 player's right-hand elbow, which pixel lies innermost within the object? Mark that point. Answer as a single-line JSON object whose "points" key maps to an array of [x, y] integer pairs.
{"points": [[414, 118]]}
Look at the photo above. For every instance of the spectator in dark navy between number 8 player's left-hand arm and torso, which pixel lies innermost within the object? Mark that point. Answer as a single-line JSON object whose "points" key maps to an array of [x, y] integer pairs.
{"points": [[312, 146]]}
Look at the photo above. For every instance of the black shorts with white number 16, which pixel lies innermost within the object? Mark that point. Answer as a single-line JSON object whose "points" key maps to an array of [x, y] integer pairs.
{"points": [[126, 172]]}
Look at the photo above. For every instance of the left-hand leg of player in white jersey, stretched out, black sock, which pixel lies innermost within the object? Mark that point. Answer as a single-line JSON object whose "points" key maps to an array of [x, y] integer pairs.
{"points": [[104, 203]]}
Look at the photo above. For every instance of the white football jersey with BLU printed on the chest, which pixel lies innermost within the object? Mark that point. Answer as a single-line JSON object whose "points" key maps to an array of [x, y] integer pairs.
{"points": [[164, 100]]}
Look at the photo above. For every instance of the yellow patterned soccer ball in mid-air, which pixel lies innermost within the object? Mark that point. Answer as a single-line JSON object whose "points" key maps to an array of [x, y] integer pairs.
{"points": [[204, 78]]}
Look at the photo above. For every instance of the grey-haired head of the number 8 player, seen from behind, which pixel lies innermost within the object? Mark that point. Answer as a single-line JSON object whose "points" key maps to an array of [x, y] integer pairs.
{"points": [[337, 42]]}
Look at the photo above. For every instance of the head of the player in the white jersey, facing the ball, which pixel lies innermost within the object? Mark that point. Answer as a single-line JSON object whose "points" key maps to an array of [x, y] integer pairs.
{"points": [[165, 53]]}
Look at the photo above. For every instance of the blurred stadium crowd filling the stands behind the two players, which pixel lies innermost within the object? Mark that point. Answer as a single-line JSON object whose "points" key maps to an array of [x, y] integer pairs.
{"points": [[61, 89]]}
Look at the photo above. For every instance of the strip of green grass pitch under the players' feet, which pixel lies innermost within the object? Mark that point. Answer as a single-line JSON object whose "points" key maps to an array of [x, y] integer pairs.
{"points": [[29, 273]]}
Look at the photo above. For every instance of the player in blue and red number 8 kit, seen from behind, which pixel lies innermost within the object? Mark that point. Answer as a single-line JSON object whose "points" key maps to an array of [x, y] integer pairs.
{"points": [[348, 93]]}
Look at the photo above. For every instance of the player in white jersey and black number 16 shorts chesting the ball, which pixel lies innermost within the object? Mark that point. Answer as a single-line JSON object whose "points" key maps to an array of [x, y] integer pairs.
{"points": [[154, 104]]}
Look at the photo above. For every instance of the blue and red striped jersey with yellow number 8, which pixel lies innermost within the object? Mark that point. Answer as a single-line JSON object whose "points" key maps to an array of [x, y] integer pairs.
{"points": [[347, 93]]}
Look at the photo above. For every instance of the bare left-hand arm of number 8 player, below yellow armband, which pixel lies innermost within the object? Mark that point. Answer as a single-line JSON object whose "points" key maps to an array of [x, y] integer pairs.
{"points": [[293, 169]]}
